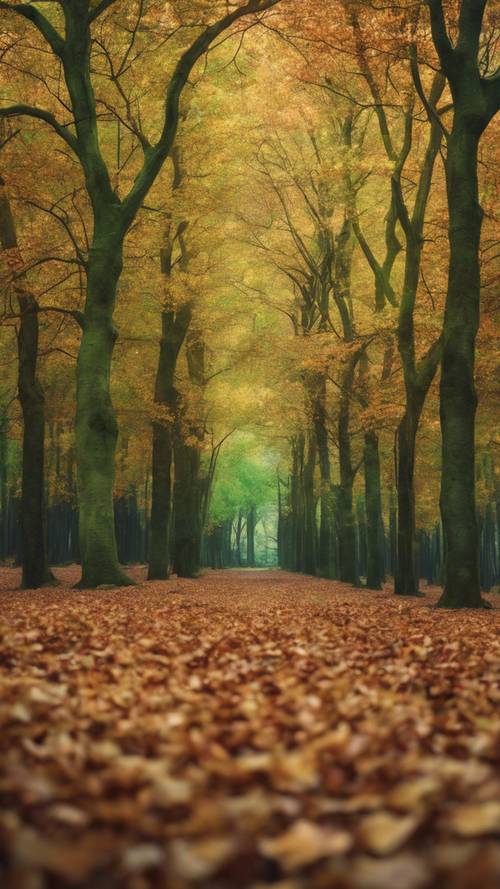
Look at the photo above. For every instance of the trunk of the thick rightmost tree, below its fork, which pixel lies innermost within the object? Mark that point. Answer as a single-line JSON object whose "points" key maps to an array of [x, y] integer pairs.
{"points": [[457, 393]]}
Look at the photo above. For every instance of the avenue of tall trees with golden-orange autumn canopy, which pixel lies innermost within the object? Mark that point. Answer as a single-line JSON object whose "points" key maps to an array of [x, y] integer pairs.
{"points": [[249, 280]]}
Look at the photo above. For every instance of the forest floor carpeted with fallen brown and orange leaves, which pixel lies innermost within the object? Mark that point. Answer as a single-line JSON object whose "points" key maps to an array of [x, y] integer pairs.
{"points": [[243, 730]]}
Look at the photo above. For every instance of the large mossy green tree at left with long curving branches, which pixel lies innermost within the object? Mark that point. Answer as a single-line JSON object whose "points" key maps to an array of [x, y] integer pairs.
{"points": [[96, 425]]}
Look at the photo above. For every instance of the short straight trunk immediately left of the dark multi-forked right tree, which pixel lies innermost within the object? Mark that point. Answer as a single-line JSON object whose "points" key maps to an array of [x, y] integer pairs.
{"points": [[375, 572]]}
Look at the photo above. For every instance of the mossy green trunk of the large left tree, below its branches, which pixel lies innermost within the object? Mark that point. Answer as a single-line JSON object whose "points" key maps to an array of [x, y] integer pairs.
{"points": [[96, 426]]}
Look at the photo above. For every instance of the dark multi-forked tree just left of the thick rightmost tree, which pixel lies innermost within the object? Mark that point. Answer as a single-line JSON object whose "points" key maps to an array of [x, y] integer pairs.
{"points": [[418, 372]]}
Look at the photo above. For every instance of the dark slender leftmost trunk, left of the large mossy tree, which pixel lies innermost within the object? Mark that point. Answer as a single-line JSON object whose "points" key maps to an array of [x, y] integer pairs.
{"points": [[35, 568]]}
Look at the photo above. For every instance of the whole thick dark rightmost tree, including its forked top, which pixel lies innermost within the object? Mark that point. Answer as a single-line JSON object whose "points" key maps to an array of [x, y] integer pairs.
{"points": [[476, 98]]}
